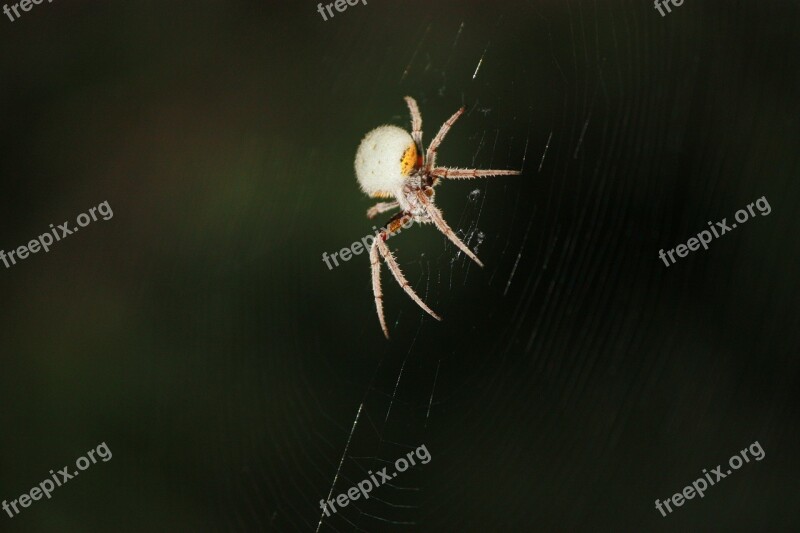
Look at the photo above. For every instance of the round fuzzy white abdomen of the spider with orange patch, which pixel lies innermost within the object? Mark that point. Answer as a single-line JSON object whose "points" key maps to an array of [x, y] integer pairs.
{"points": [[384, 159]]}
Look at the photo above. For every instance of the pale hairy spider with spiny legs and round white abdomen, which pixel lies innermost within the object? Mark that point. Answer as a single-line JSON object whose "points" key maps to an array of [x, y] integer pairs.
{"points": [[390, 162]]}
